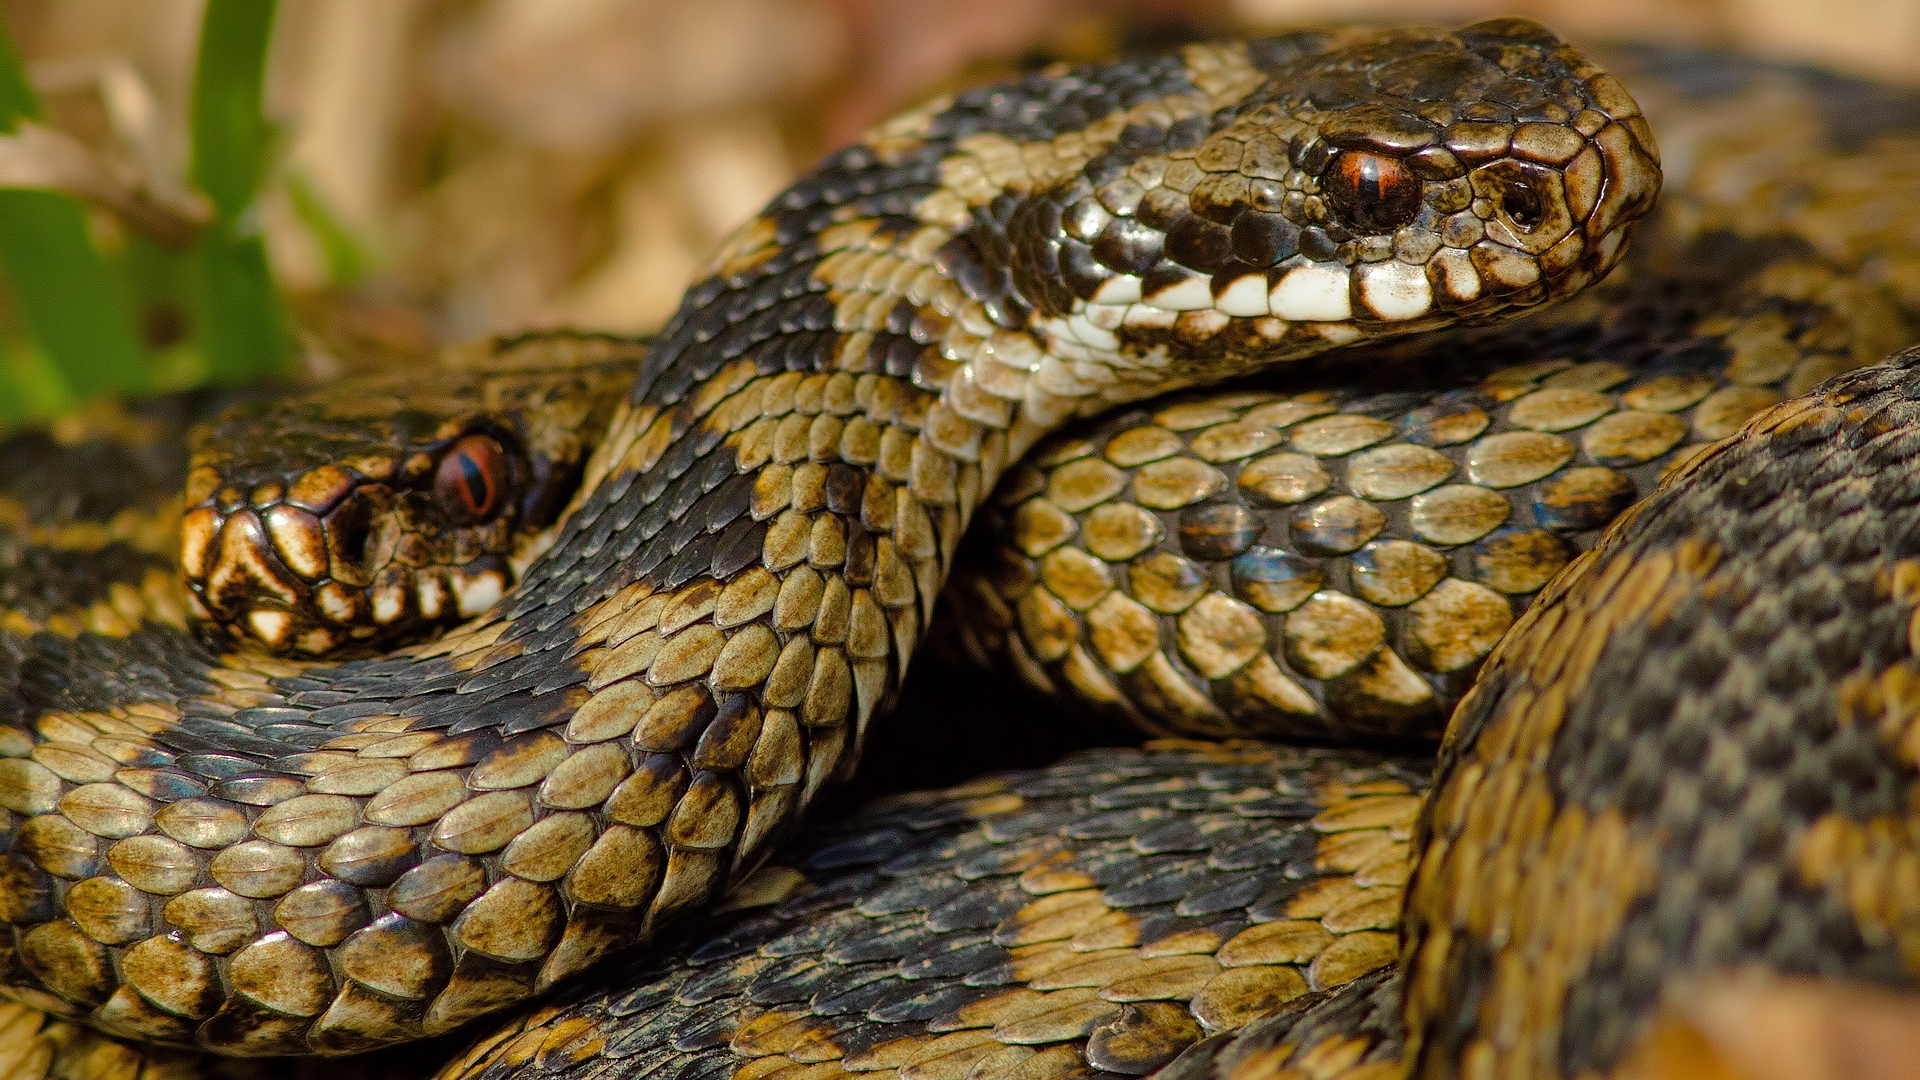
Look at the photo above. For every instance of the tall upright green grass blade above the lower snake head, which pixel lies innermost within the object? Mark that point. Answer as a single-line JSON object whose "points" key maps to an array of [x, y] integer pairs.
{"points": [[243, 326]]}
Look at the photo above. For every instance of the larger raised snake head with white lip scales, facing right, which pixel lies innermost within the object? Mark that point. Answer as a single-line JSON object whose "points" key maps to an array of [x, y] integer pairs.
{"points": [[1284, 197]]}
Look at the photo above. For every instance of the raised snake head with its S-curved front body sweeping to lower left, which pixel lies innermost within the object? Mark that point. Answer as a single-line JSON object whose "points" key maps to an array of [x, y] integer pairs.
{"points": [[256, 856]]}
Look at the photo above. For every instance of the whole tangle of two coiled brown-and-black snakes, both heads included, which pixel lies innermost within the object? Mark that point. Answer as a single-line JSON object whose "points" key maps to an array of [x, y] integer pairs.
{"points": [[226, 843]]}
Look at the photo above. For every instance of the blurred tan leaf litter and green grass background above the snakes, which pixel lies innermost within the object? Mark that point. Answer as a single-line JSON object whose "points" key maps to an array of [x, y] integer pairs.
{"points": [[418, 172]]}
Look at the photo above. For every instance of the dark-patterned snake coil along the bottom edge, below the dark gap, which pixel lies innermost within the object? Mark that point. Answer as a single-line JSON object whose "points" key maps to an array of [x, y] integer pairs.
{"points": [[980, 933]]}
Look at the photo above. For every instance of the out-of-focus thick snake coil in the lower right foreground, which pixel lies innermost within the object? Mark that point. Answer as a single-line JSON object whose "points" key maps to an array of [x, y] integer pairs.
{"points": [[1788, 870]]}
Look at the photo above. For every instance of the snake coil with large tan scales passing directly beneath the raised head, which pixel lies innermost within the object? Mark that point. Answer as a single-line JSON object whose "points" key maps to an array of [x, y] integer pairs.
{"points": [[1383, 554]]}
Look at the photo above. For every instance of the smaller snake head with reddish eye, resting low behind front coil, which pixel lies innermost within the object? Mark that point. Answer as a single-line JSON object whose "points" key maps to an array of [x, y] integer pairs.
{"points": [[385, 508]]}
